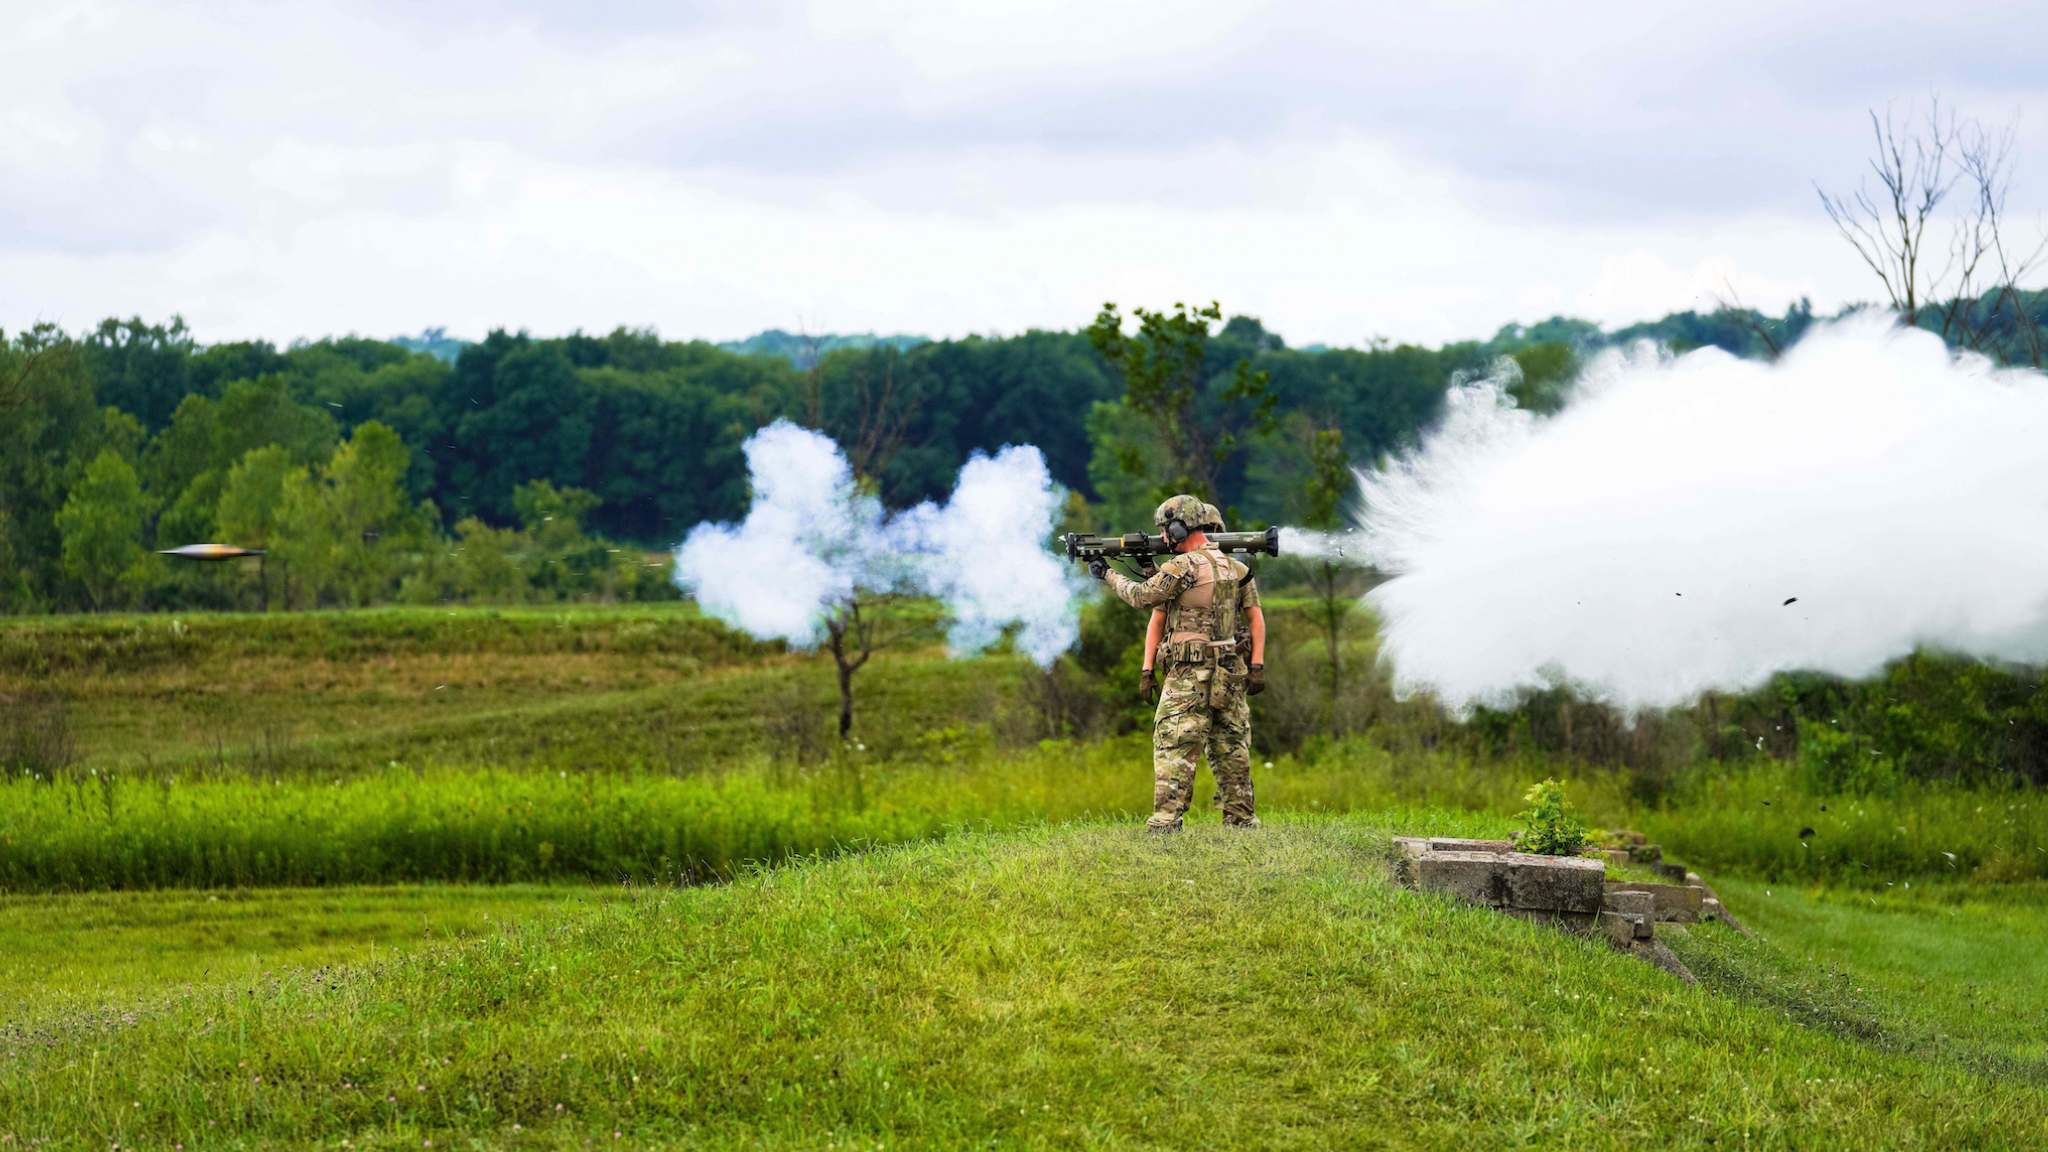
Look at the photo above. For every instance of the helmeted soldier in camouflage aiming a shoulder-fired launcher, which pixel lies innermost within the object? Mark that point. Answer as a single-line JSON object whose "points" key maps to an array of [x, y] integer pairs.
{"points": [[1203, 702]]}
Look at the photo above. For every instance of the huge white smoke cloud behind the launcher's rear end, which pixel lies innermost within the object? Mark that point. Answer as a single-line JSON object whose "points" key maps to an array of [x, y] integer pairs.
{"points": [[1703, 522]]}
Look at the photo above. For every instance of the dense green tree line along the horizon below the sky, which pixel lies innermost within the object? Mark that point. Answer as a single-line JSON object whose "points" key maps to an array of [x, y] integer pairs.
{"points": [[376, 470]]}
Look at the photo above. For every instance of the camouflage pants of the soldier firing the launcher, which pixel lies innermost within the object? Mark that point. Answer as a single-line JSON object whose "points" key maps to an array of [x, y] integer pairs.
{"points": [[1189, 727]]}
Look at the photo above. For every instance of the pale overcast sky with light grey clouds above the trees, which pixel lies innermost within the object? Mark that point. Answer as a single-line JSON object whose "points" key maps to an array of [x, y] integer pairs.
{"points": [[1338, 169]]}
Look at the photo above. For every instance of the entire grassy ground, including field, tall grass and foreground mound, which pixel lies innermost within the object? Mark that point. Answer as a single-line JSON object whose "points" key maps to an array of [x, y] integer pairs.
{"points": [[228, 921]]}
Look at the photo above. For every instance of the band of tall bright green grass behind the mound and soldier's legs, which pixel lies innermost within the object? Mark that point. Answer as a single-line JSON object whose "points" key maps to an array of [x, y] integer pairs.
{"points": [[505, 827]]}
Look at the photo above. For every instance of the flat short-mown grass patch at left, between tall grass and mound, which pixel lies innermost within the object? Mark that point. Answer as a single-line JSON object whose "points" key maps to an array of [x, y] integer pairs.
{"points": [[116, 946]]}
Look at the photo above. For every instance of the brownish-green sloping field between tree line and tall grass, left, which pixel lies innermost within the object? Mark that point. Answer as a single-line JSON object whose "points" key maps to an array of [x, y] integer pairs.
{"points": [[327, 694]]}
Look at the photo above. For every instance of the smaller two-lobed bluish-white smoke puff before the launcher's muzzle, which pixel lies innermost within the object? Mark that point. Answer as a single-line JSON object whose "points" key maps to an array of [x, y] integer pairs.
{"points": [[812, 540]]}
